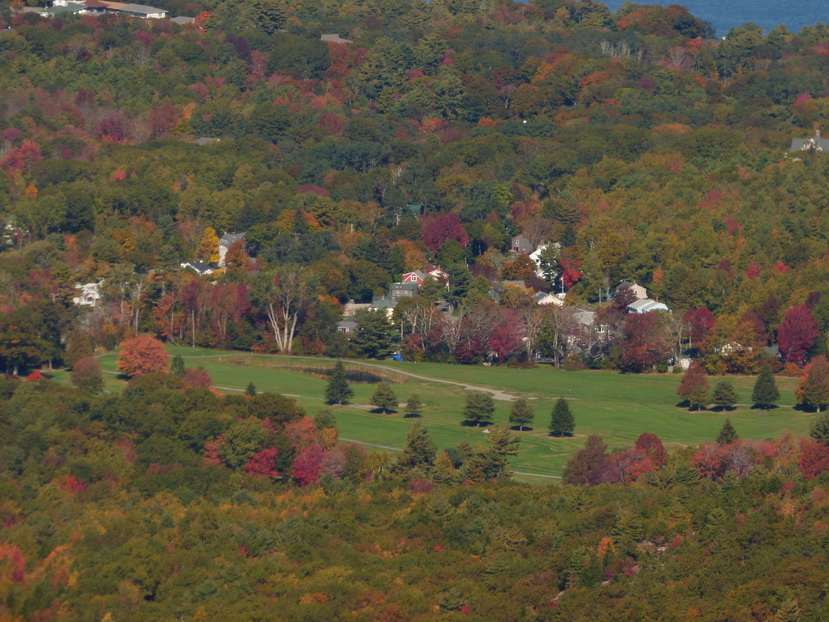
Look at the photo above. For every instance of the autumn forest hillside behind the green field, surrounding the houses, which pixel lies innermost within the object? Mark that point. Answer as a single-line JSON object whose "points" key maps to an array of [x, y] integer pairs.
{"points": [[419, 135]]}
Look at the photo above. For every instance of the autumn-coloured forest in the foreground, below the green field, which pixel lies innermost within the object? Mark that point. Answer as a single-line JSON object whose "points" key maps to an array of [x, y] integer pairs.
{"points": [[173, 502]]}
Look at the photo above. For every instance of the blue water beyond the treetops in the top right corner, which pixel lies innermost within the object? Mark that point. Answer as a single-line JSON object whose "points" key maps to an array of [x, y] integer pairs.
{"points": [[725, 14]]}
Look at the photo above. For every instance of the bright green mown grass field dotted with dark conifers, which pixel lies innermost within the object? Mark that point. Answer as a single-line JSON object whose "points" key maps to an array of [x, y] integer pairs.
{"points": [[618, 407]]}
